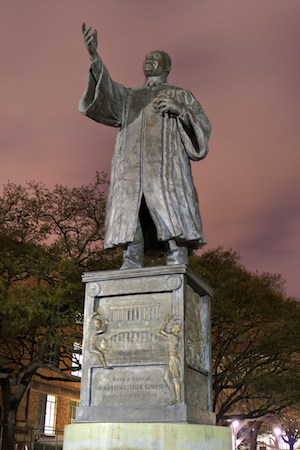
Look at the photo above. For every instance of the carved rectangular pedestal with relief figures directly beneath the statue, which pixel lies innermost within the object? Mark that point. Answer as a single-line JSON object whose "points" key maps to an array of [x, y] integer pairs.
{"points": [[146, 347]]}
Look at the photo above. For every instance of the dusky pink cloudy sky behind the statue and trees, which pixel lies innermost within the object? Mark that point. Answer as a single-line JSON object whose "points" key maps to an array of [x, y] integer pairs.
{"points": [[239, 58]]}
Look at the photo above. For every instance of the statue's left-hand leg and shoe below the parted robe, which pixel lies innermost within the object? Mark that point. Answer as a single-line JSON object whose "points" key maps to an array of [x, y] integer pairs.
{"points": [[133, 254]]}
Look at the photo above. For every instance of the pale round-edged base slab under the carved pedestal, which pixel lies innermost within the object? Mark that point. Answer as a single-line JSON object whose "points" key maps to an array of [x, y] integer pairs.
{"points": [[146, 436]]}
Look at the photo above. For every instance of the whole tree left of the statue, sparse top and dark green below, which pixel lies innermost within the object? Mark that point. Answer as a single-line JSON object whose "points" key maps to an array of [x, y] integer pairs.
{"points": [[47, 238]]}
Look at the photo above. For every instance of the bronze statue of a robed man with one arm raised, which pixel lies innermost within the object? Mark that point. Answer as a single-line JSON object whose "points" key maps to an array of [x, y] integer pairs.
{"points": [[152, 202]]}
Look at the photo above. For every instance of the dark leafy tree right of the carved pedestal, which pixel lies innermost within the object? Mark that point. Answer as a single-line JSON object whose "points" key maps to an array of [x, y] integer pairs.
{"points": [[255, 339]]}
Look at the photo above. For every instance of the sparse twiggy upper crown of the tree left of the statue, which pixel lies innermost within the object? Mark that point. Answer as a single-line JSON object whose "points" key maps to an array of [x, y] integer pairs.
{"points": [[71, 219]]}
